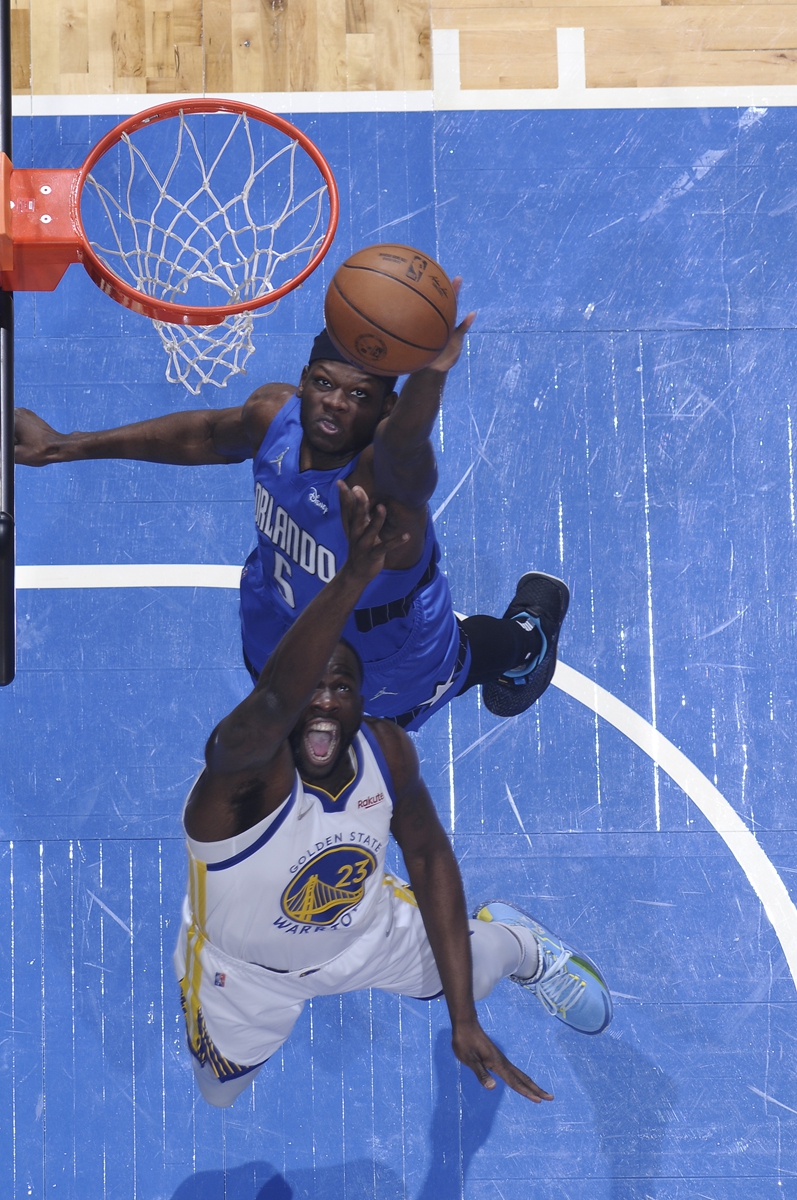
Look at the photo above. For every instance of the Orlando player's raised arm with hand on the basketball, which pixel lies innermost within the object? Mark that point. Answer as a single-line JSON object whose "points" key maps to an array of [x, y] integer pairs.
{"points": [[404, 461]]}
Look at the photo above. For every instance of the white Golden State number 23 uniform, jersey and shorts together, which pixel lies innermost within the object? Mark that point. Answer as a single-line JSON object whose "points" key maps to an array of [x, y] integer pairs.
{"points": [[297, 907]]}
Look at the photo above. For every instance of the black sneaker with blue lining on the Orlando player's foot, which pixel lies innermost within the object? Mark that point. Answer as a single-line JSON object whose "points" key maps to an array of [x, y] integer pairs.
{"points": [[541, 602]]}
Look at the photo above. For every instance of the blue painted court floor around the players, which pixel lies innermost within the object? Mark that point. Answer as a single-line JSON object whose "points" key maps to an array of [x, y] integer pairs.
{"points": [[624, 418]]}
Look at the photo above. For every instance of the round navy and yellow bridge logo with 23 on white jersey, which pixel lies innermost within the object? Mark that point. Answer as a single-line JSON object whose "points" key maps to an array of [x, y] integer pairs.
{"points": [[328, 886]]}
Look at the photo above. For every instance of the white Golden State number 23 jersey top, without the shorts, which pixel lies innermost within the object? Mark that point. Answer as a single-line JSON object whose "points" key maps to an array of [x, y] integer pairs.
{"points": [[299, 887]]}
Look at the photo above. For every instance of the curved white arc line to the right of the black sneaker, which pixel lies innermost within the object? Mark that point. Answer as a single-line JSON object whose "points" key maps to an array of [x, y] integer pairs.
{"points": [[762, 874]]}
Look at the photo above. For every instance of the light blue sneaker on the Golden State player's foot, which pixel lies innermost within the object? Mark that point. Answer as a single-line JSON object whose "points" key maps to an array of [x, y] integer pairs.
{"points": [[568, 985]]}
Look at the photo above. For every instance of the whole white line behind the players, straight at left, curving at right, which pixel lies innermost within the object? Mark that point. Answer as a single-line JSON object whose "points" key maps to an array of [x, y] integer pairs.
{"points": [[762, 874]]}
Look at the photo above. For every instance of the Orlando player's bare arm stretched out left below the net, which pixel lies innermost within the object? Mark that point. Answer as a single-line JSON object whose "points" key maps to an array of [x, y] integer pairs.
{"points": [[190, 439]]}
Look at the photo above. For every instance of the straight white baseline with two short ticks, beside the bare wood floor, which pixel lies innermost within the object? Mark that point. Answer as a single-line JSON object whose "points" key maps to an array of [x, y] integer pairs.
{"points": [[447, 94]]}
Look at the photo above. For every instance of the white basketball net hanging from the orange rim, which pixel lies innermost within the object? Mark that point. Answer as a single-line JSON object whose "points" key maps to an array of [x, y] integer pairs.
{"points": [[202, 242]]}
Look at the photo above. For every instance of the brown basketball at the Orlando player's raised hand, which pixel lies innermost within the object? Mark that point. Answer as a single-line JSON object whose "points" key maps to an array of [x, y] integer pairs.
{"points": [[391, 309]]}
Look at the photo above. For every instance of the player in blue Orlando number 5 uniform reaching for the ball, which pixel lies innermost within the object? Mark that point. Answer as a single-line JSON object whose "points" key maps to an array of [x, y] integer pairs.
{"points": [[341, 423]]}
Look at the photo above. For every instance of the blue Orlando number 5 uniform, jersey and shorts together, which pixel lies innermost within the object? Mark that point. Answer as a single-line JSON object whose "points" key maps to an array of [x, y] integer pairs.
{"points": [[404, 628]]}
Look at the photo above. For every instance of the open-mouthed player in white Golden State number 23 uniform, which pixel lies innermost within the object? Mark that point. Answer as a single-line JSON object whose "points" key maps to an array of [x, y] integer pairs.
{"points": [[289, 897]]}
